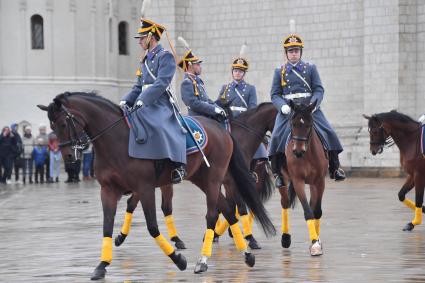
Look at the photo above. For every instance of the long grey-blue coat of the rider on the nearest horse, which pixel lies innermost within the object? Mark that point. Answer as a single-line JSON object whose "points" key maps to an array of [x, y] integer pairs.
{"points": [[165, 138]]}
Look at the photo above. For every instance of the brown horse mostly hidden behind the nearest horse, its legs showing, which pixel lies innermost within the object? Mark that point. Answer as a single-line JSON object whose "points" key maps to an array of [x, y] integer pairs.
{"points": [[249, 130]]}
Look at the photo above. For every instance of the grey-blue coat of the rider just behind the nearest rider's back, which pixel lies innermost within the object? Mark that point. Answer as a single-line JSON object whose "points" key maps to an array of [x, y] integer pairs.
{"points": [[195, 97]]}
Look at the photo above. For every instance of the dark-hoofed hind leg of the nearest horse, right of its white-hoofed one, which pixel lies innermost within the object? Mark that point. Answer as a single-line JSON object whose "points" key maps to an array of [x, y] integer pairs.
{"points": [[229, 215]]}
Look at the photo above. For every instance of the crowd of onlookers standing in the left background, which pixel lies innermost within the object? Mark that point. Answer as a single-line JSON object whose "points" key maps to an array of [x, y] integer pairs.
{"points": [[37, 159]]}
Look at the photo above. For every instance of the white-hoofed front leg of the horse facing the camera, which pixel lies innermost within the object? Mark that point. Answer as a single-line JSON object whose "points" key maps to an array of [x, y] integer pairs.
{"points": [[315, 249]]}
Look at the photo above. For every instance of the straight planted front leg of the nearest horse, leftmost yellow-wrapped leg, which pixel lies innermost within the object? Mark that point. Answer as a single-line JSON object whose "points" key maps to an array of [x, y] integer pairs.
{"points": [[109, 203]]}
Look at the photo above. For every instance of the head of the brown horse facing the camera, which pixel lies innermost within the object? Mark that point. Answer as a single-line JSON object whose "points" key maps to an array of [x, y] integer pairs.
{"points": [[301, 126]]}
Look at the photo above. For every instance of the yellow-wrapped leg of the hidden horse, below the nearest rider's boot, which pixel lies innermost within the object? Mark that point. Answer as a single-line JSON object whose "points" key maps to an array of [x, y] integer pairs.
{"points": [[167, 209]]}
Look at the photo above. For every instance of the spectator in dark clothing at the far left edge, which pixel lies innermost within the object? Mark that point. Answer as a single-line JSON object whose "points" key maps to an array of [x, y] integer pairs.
{"points": [[7, 153]]}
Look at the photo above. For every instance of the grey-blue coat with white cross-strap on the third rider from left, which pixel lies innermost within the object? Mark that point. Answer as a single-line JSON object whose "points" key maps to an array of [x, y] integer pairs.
{"points": [[241, 96]]}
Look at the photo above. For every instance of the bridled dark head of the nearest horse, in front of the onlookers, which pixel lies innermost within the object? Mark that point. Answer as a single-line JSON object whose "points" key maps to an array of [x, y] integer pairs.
{"points": [[69, 128]]}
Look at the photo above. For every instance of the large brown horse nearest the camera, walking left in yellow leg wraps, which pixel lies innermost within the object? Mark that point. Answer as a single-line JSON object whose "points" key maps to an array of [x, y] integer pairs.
{"points": [[77, 117]]}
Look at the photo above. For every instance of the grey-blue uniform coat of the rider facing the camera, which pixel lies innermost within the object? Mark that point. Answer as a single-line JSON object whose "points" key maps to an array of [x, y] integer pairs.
{"points": [[294, 84]]}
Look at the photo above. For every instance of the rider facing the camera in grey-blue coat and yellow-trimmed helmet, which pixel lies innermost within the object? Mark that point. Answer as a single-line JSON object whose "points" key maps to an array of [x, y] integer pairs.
{"points": [[299, 81]]}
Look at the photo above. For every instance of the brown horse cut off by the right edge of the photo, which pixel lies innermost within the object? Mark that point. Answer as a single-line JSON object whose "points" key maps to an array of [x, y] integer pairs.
{"points": [[388, 128]]}
